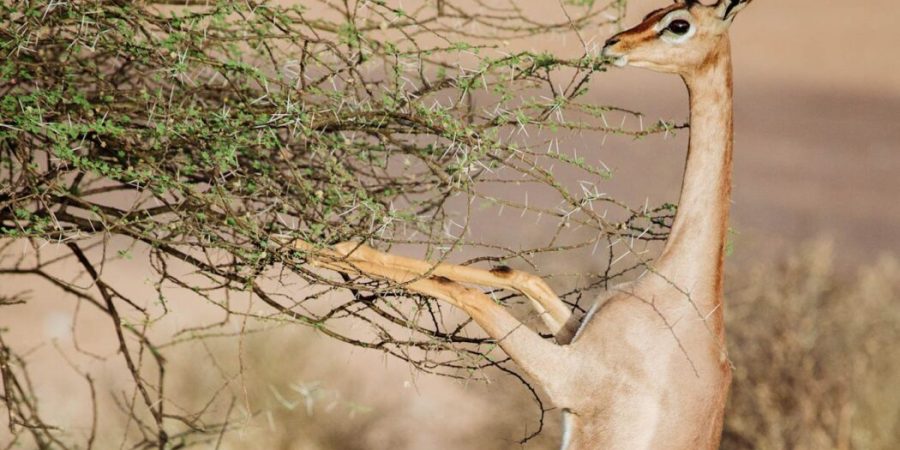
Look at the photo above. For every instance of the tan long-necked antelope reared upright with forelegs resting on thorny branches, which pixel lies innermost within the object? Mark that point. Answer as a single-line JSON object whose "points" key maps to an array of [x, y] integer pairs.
{"points": [[648, 368]]}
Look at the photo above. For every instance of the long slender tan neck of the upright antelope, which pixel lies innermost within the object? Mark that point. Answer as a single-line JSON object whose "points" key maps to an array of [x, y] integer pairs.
{"points": [[693, 255]]}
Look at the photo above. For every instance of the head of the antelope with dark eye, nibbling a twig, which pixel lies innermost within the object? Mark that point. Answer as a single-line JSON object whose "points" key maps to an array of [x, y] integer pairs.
{"points": [[676, 39]]}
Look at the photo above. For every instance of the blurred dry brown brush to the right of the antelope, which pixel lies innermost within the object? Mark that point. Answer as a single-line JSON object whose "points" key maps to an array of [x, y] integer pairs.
{"points": [[816, 356]]}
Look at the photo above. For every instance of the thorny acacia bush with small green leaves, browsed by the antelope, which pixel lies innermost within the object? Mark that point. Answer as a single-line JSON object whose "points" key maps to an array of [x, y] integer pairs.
{"points": [[200, 137]]}
